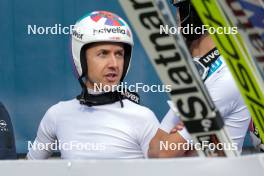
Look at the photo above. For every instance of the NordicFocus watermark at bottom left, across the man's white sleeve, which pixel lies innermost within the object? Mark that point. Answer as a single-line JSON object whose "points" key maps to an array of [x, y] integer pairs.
{"points": [[73, 145]]}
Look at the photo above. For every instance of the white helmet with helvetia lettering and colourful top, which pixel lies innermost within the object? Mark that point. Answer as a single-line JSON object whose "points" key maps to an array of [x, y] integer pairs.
{"points": [[100, 26]]}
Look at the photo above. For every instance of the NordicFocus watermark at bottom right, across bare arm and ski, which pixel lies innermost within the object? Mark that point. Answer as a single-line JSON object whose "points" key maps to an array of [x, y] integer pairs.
{"points": [[204, 145]]}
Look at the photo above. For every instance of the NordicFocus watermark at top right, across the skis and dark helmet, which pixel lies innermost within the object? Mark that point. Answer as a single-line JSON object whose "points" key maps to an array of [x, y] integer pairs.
{"points": [[190, 29]]}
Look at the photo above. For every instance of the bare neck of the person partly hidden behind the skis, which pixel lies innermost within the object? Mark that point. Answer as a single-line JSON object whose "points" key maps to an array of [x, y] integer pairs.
{"points": [[202, 46]]}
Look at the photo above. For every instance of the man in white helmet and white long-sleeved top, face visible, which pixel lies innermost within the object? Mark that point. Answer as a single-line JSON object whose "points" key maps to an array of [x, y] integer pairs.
{"points": [[97, 124]]}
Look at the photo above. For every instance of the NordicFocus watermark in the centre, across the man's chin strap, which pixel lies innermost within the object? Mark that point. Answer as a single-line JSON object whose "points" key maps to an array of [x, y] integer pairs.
{"points": [[99, 87]]}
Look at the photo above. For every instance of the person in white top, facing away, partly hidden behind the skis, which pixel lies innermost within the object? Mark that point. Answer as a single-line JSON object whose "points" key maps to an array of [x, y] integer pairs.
{"points": [[217, 79]]}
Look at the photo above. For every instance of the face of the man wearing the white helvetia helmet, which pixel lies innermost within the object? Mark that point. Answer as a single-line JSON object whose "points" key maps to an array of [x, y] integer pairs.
{"points": [[105, 63]]}
